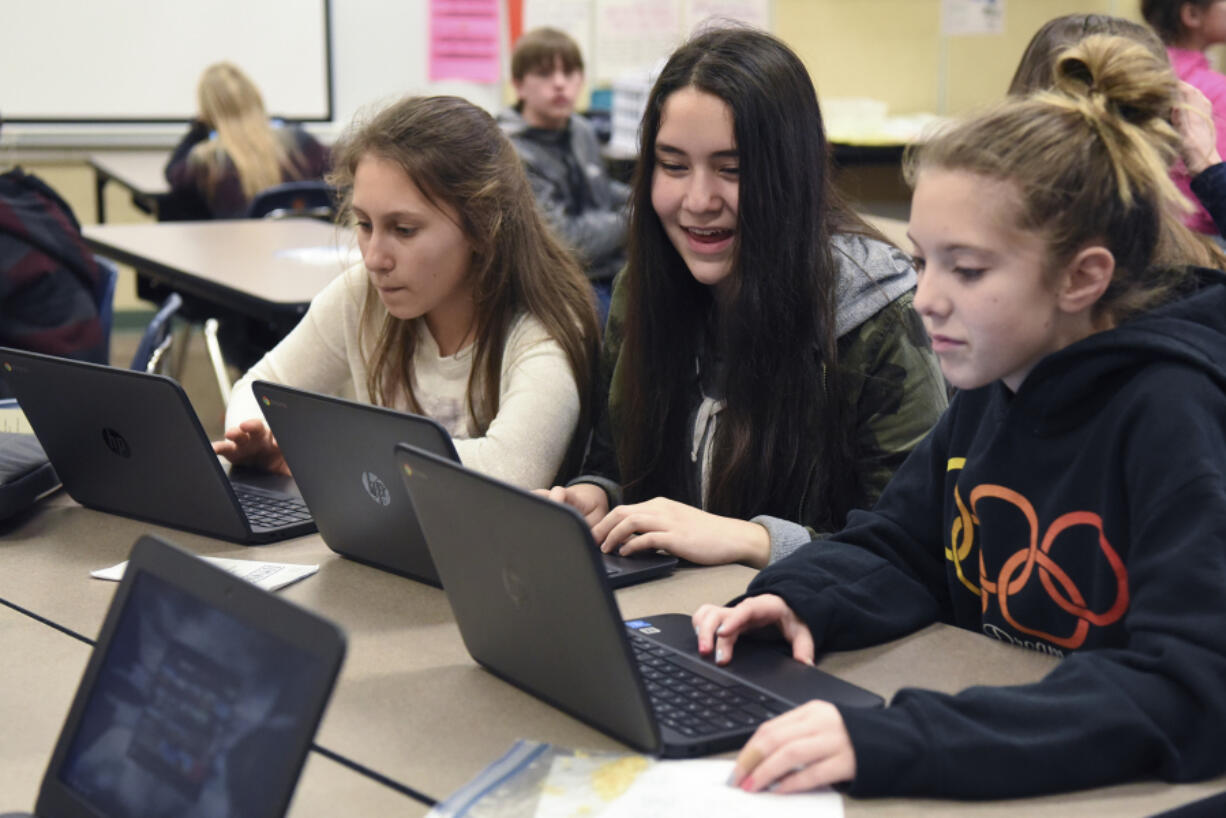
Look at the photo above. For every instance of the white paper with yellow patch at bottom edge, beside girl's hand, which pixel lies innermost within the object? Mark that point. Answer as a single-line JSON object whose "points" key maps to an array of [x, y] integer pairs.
{"points": [[634, 787]]}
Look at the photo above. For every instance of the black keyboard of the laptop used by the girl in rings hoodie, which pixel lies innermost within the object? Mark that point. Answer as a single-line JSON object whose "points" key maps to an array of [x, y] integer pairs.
{"points": [[699, 703]]}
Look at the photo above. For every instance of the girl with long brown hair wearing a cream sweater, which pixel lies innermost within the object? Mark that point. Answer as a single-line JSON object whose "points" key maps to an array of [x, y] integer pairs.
{"points": [[465, 308]]}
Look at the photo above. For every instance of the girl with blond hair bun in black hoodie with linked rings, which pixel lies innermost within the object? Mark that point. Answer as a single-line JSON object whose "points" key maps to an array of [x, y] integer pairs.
{"points": [[1072, 500]]}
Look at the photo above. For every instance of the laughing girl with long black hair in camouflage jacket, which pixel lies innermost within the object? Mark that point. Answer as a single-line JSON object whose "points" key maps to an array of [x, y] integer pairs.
{"points": [[763, 367]]}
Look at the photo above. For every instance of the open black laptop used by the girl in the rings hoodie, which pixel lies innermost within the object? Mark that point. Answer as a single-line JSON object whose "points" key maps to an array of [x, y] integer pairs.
{"points": [[533, 606]]}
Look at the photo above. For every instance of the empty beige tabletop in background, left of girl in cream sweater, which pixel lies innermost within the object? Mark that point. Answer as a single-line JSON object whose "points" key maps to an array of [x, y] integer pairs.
{"points": [[249, 266]]}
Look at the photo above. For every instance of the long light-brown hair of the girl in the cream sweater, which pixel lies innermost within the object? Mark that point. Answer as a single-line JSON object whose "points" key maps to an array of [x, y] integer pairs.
{"points": [[455, 154]]}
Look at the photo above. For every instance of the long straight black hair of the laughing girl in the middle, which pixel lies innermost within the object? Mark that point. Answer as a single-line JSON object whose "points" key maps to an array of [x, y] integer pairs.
{"points": [[777, 329]]}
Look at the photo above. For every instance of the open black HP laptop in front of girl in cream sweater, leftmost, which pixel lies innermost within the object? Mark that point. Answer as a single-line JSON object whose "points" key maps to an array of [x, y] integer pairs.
{"points": [[129, 443]]}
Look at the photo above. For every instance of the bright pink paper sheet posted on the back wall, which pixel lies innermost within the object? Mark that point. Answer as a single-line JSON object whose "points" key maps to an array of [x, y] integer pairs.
{"points": [[464, 41]]}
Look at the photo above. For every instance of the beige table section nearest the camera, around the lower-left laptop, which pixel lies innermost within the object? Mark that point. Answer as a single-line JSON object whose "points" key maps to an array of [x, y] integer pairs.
{"points": [[35, 698]]}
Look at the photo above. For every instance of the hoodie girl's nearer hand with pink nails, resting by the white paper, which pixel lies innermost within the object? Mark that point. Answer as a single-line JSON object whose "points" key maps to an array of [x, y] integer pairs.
{"points": [[802, 750]]}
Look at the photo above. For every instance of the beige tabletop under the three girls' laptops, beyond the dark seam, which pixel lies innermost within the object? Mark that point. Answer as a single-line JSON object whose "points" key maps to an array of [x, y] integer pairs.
{"points": [[413, 706]]}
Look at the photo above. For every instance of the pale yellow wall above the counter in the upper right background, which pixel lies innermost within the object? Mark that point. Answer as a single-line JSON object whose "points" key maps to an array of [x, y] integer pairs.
{"points": [[892, 50]]}
